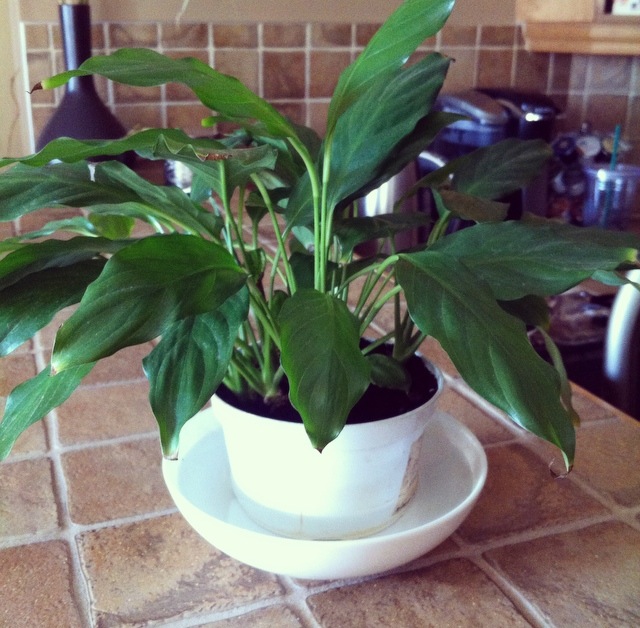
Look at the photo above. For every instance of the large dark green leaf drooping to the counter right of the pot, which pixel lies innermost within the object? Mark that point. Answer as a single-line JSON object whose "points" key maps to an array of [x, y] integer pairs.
{"points": [[489, 347]]}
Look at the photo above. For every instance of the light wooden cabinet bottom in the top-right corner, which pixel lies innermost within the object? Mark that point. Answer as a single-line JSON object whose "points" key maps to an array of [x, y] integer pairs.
{"points": [[576, 26]]}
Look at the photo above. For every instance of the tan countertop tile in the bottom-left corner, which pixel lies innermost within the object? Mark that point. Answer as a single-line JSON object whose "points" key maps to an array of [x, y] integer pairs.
{"points": [[35, 587]]}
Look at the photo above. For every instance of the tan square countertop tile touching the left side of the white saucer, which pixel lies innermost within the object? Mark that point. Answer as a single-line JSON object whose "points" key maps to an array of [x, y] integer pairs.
{"points": [[114, 481]]}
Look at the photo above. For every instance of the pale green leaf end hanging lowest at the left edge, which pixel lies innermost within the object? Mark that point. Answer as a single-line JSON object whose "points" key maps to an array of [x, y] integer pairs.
{"points": [[34, 399]]}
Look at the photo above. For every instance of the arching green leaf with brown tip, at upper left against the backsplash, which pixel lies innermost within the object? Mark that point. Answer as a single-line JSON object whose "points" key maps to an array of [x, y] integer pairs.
{"points": [[224, 94]]}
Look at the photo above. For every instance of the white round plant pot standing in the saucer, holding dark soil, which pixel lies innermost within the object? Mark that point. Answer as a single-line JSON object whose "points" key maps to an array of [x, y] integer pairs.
{"points": [[358, 485]]}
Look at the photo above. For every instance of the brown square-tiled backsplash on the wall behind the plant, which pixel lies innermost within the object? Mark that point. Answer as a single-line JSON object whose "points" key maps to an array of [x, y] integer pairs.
{"points": [[295, 66]]}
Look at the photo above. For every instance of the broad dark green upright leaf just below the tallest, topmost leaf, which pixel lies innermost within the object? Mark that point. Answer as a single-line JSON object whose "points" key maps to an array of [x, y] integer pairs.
{"points": [[378, 120]]}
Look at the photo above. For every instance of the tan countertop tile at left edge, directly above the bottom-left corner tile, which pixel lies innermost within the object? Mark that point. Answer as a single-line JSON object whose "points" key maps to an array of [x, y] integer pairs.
{"points": [[27, 502]]}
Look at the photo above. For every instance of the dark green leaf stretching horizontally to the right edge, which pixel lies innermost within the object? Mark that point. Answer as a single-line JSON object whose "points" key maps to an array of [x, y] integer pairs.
{"points": [[542, 258]]}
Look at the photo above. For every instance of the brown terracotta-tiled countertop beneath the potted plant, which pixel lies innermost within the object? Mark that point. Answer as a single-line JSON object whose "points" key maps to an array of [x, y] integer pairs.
{"points": [[90, 537]]}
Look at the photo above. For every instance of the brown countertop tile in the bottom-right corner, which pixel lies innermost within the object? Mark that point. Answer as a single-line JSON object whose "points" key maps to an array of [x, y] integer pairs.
{"points": [[586, 577]]}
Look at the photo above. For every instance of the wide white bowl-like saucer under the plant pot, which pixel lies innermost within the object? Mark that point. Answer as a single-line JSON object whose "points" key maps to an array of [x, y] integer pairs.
{"points": [[453, 472]]}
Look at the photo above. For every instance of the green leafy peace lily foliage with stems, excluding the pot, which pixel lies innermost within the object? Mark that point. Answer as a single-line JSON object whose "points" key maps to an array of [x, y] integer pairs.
{"points": [[225, 309]]}
